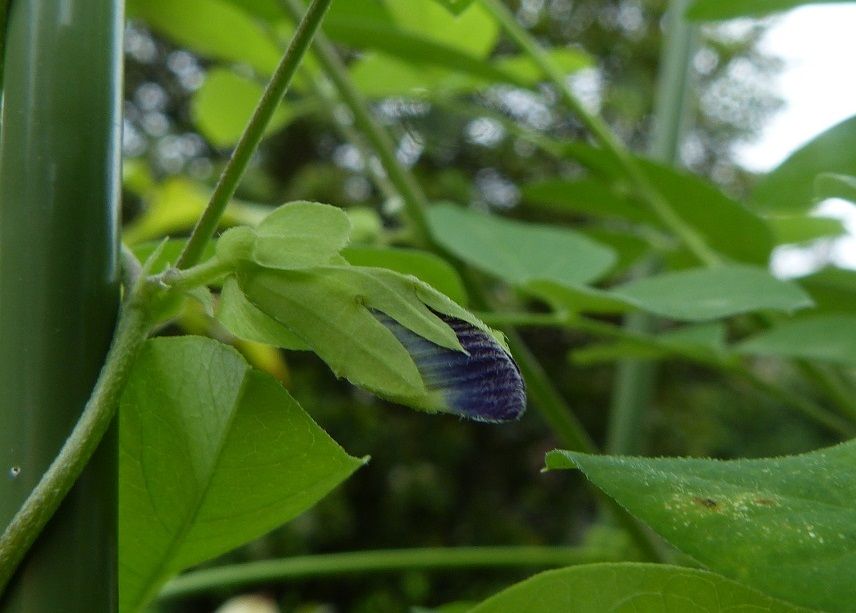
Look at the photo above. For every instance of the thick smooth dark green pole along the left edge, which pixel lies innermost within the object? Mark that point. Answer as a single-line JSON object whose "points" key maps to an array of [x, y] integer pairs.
{"points": [[59, 291]]}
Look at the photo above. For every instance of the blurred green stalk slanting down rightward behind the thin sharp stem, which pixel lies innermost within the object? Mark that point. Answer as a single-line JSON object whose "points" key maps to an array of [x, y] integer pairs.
{"points": [[415, 202]]}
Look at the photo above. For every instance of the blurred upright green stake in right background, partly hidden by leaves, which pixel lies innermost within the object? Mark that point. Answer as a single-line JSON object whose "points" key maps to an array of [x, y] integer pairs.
{"points": [[635, 380]]}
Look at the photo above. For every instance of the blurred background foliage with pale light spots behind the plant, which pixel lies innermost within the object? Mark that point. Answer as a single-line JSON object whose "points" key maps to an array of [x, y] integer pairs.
{"points": [[436, 480]]}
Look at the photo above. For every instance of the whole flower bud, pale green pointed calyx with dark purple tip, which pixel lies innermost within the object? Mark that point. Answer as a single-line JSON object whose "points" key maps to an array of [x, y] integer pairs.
{"points": [[393, 335]]}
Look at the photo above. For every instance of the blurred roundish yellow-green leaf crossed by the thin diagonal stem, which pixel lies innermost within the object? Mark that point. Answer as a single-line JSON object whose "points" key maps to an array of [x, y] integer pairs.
{"points": [[224, 104]]}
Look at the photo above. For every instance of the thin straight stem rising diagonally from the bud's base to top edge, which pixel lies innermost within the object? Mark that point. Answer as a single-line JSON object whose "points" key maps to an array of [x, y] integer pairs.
{"points": [[253, 133]]}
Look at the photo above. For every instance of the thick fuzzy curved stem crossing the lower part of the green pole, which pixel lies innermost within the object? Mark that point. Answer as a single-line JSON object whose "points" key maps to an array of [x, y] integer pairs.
{"points": [[84, 439]]}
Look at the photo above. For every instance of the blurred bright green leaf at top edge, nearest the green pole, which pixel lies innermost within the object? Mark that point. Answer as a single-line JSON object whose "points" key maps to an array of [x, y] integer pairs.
{"points": [[212, 28]]}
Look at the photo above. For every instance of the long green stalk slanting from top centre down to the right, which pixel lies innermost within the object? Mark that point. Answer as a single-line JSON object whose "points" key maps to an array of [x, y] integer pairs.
{"points": [[688, 235]]}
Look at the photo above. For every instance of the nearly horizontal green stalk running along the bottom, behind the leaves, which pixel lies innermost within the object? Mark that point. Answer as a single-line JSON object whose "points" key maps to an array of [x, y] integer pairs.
{"points": [[253, 573]]}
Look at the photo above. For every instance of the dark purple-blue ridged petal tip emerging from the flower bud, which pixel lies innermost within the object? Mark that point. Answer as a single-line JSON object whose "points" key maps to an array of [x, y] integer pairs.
{"points": [[483, 384]]}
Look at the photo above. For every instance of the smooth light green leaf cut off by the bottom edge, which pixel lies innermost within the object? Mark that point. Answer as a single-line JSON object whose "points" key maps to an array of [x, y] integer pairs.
{"points": [[632, 588]]}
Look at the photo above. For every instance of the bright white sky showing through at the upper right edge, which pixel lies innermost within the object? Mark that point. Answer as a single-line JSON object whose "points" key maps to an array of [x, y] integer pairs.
{"points": [[818, 84]]}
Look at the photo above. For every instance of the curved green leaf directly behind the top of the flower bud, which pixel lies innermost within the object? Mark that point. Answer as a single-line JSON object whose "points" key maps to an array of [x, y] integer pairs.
{"points": [[425, 266]]}
